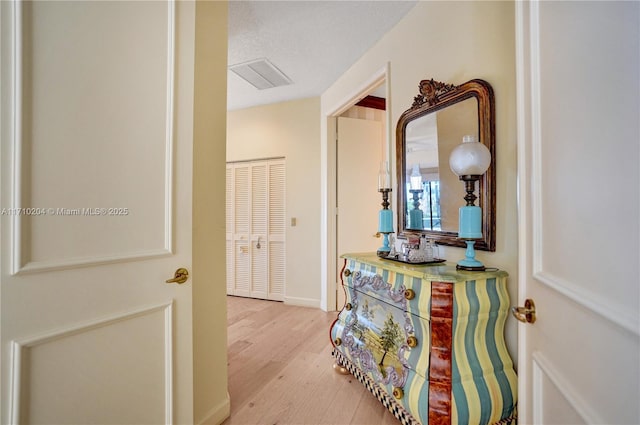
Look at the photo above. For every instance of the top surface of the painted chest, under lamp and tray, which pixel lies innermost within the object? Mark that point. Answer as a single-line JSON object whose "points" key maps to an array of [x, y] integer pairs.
{"points": [[441, 271]]}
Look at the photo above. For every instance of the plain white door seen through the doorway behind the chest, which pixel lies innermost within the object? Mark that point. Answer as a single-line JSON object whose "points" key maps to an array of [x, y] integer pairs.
{"points": [[359, 152]]}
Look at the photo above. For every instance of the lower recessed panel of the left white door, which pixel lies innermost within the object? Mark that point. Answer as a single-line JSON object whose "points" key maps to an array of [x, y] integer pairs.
{"points": [[124, 351]]}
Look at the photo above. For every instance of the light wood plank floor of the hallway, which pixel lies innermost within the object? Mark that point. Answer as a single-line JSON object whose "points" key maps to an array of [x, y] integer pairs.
{"points": [[280, 369]]}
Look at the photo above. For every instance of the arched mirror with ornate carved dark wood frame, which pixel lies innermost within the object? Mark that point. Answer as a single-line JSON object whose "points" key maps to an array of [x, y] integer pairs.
{"points": [[429, 193]]}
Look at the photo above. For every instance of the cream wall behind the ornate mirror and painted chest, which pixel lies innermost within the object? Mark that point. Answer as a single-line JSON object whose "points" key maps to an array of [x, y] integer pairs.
{"points": [[452, 42]]}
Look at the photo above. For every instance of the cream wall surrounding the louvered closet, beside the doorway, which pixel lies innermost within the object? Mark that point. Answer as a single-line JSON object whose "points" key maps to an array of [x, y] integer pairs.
{"points": [[291, 130]]}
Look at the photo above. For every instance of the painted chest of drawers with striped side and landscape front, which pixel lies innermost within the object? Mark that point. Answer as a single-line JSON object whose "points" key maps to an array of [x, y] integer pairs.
{"points": [[427, 341]]}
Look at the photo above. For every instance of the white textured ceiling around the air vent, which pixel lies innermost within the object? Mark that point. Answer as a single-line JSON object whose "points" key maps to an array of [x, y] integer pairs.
{"points": [[312, 42]]}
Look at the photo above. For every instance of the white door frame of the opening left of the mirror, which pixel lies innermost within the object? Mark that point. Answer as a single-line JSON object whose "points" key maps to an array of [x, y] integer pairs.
{"points": [[328, 236]]}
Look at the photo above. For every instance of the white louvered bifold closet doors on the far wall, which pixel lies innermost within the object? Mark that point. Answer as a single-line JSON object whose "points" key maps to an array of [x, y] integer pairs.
{"points": [[255, 229]]}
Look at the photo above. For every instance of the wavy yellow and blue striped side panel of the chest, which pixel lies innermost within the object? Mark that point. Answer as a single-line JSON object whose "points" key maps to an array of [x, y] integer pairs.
{"points": [[482, 374]]}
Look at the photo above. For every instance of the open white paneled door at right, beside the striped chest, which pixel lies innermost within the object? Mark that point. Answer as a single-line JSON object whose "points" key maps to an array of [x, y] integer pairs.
{"points": [[578, 150]]}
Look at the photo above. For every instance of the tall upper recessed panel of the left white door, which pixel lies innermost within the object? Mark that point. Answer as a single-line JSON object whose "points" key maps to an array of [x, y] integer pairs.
{"points": [[72, 102]]}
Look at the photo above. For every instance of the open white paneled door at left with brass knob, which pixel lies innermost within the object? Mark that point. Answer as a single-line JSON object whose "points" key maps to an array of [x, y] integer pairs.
{"points": [[96, 151]]}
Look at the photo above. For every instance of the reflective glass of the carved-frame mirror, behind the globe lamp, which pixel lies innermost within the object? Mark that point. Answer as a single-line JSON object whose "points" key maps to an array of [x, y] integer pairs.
{"points": [[433, 191]]}
